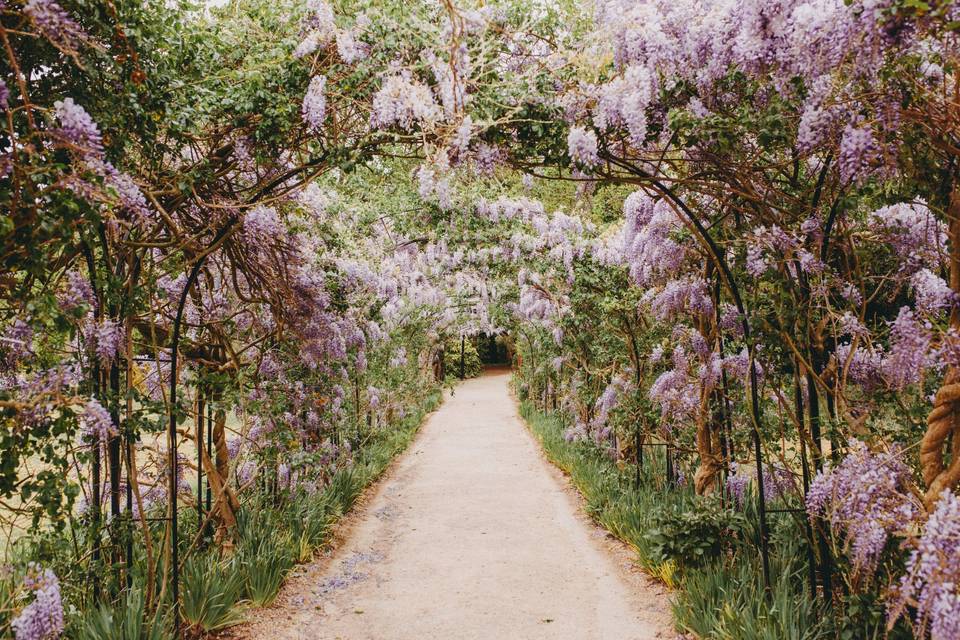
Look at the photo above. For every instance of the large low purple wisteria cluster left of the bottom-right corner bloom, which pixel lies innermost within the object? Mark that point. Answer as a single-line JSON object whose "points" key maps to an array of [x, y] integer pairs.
{"points": [[865, 499]]}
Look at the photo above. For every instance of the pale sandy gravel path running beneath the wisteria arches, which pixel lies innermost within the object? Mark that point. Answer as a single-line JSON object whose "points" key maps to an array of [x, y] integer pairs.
{"points": [[472, 534]]}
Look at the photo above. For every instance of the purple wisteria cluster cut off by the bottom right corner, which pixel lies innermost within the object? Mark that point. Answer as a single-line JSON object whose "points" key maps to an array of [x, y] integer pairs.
{"points": [[932, 580]]}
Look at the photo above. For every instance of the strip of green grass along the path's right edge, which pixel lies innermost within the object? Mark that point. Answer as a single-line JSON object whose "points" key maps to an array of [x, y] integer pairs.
{"points": [[714, 599]]}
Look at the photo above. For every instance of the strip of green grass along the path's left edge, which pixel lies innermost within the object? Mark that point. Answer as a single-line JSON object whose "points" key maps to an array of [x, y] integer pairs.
{"points": [[273, 535]]}
